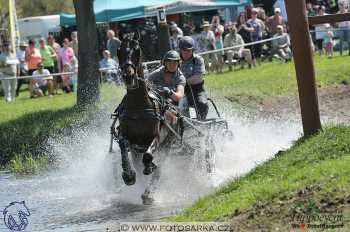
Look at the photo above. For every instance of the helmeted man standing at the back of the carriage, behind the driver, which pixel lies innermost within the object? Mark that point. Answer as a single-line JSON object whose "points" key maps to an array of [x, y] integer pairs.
{"points": [[193, 69]]}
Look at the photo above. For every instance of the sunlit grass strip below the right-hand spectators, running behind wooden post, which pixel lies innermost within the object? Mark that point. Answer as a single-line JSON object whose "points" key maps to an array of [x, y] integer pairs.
{"points": [[277, 79]]}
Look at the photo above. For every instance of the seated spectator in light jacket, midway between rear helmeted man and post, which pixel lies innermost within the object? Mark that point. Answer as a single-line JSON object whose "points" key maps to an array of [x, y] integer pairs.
{"points": [[235, 39]]}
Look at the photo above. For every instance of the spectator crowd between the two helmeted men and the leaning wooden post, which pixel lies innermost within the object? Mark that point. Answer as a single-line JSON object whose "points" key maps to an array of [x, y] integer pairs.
{"points": [[251, 26]]}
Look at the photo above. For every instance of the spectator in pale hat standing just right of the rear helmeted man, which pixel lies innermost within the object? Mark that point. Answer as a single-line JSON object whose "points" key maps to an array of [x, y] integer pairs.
{"points": [[206, 42]]}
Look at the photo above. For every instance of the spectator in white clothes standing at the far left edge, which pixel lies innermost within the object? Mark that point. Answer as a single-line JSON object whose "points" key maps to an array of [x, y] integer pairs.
{"points": [[9, 68]]}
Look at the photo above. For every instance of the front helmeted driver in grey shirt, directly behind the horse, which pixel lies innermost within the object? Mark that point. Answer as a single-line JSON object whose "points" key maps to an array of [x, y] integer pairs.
{"points": [[169, 77]]}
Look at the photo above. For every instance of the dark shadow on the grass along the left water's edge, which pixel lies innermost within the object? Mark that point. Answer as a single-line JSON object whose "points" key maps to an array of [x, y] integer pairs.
{"points": [[27, 135]]}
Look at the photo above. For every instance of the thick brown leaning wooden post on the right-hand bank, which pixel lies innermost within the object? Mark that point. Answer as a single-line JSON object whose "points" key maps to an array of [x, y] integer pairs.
{"points": [[304, 65]]}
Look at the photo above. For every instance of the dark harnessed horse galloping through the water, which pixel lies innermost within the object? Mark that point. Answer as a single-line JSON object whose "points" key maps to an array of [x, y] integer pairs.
{"points": [[142, 125]]}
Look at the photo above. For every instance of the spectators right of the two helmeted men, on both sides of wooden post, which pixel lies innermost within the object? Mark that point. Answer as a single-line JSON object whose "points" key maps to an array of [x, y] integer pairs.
{"points": [[254, 25]]}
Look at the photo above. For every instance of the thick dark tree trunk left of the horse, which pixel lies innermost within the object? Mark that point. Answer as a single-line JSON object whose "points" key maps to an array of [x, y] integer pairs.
{"points": [[88, 76]]}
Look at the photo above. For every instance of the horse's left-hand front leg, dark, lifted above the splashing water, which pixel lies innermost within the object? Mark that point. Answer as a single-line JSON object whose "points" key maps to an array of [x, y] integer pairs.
{"points": [[128, 175]]}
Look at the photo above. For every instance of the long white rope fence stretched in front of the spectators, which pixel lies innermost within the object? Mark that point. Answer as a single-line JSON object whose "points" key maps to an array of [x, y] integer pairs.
{"points": [[144, 63]]}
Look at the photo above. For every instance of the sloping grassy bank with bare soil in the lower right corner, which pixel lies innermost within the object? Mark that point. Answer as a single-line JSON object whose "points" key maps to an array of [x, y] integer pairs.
{"points": [[311, 178]]}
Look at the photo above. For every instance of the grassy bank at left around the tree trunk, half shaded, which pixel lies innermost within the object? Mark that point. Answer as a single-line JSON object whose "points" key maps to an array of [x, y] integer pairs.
{"points": [[26, 124]]}
